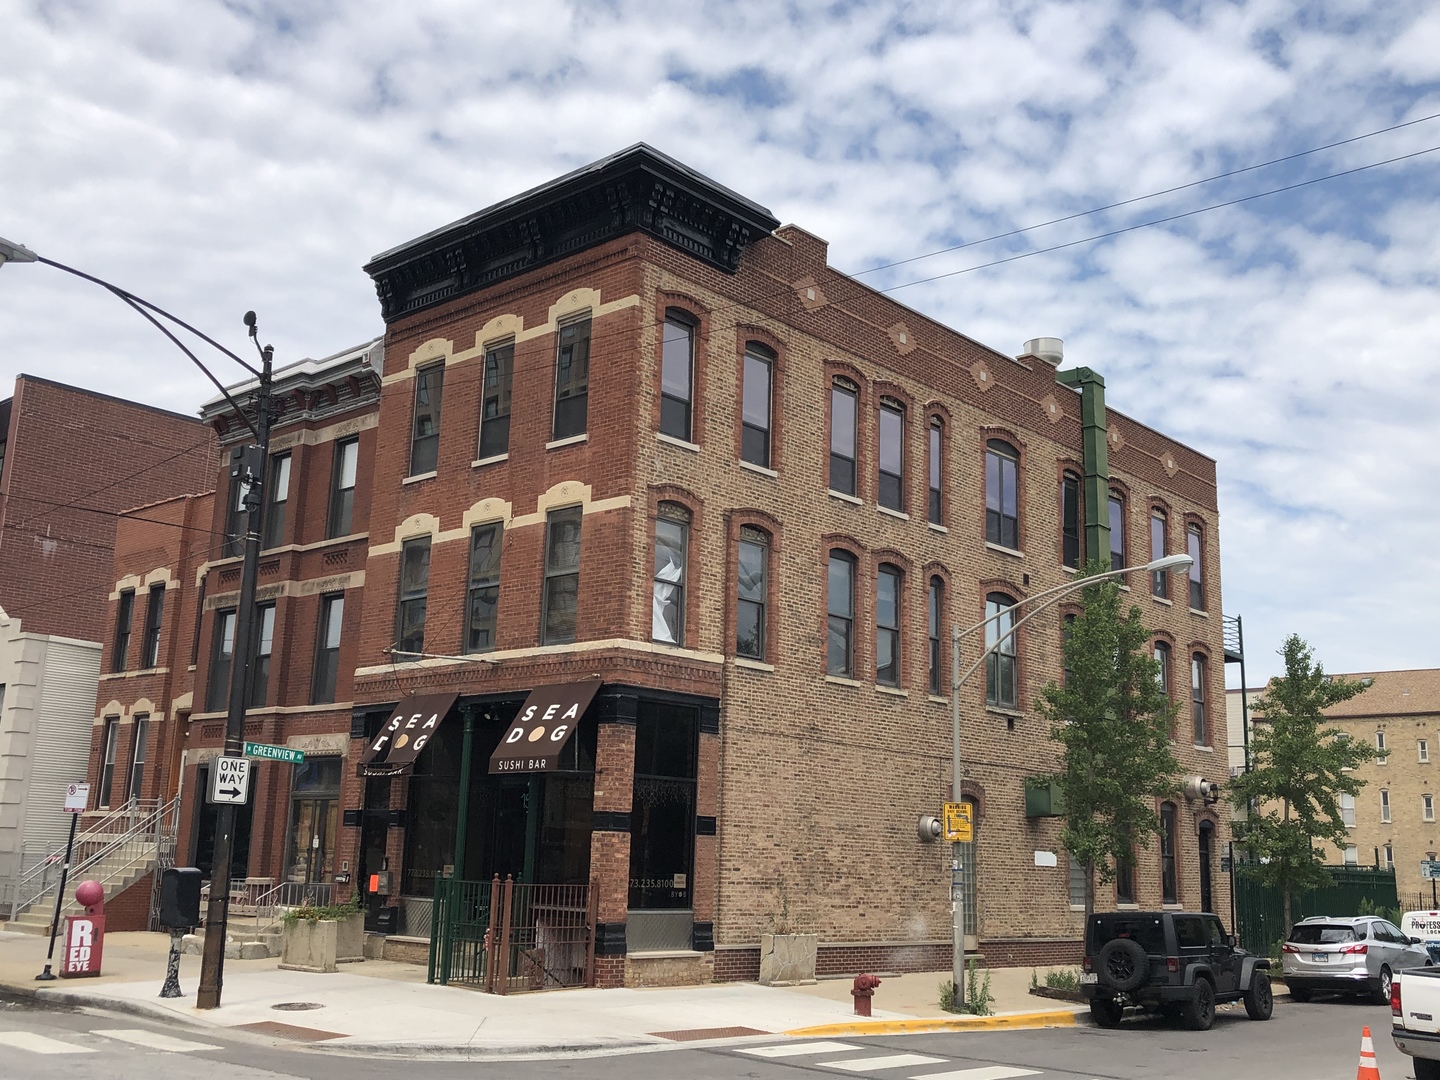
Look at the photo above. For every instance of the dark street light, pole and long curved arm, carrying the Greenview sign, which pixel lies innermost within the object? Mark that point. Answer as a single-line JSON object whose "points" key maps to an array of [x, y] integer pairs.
{"points": [[248, 464]]}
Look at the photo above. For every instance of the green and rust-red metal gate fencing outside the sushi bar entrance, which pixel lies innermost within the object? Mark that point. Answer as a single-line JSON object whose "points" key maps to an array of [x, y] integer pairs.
{"points": [[505, 937]]}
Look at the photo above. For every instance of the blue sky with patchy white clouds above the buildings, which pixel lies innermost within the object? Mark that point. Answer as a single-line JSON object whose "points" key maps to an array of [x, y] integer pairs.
{"points": [[217, 158]]}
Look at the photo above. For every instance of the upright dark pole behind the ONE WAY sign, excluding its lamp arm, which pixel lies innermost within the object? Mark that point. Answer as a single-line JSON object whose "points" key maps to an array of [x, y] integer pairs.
{"points": [[248, 466]]}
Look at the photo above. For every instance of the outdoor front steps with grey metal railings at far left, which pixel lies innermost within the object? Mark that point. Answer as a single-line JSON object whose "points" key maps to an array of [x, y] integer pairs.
{"points": [[117, 850]]}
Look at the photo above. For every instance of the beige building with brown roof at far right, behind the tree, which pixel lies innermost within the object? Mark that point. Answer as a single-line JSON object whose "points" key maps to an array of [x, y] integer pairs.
{"points": [[1393, 820]]}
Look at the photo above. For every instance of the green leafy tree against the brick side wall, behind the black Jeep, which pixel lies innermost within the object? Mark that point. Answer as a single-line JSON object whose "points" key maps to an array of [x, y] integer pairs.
{"points": [[1112, 721]]}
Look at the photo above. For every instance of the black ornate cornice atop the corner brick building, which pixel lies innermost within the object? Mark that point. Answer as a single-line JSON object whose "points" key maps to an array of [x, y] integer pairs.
{"points": [[636, 191]]}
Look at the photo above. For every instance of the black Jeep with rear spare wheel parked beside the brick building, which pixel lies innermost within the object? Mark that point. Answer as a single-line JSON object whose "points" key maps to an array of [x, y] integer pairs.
{"points": [[1171, 963]]}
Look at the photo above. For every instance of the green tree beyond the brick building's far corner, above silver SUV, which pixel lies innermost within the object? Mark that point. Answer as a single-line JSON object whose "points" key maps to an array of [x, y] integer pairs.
{"points": [[1300, 770]]}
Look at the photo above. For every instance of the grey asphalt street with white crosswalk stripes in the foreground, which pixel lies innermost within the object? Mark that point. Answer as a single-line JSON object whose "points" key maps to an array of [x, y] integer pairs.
{"points": [[1314, 1042]]}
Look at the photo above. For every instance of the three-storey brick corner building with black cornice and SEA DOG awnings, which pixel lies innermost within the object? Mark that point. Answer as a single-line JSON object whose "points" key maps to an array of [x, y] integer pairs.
{"points": [[636, 436]]}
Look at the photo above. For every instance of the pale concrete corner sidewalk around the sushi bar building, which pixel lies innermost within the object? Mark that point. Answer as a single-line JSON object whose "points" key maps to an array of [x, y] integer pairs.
{"points": [[381, 1007]]}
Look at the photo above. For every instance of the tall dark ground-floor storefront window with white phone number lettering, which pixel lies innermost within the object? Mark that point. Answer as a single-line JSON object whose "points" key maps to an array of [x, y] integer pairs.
{"points": [[663, 814]]}
